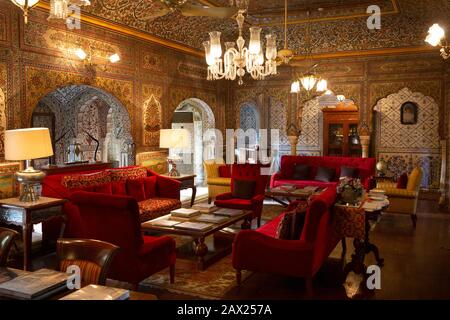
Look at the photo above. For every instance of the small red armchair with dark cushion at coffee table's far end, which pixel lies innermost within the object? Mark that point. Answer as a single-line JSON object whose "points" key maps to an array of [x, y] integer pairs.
{"points": [[245, 172]]}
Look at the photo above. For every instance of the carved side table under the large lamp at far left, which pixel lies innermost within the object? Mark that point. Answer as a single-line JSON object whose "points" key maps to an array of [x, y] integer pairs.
{"points": [[26, 214]]}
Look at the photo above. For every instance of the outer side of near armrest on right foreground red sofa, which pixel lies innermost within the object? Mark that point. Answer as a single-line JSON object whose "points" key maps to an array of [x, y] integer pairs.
{"points": [[254, 250]]}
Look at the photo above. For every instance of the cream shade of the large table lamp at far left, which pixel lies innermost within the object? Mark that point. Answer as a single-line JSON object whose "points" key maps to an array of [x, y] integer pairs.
{"points": [[27, 144]]}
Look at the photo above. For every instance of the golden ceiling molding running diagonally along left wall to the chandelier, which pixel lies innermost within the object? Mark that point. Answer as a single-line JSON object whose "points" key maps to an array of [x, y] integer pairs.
{"points": [[98, 22]]}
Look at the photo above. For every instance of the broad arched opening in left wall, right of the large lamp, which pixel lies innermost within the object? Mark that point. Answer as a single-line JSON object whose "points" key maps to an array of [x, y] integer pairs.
{"points": [[89, 116]]}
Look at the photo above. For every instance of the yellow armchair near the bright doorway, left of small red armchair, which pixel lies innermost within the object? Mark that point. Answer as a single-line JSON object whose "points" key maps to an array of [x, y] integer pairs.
{"points": [[216, 184]]}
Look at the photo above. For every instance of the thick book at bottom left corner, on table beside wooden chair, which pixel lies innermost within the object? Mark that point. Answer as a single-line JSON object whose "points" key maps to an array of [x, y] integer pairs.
{"points": [[39, 284]]}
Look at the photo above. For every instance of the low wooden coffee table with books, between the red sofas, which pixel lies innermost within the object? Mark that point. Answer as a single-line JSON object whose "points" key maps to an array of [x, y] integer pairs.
{"points": [[205, 256]]}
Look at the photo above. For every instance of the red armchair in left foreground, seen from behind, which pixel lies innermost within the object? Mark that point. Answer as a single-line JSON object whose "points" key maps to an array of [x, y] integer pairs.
{"points": [[115, 219]]}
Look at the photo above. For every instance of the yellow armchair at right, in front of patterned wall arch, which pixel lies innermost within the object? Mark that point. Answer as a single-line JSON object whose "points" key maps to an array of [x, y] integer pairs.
{"points": [[404, 201]]}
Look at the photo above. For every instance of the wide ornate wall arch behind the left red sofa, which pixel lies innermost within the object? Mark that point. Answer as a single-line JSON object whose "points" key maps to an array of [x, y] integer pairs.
{"points": [[70, 103]]}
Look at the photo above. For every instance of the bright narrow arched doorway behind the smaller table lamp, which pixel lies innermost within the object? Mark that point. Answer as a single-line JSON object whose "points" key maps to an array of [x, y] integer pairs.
{"points": [[196, 116]]}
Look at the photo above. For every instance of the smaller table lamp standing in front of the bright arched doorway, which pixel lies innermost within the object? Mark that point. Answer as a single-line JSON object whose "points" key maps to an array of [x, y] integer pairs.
{"points": [[177, 139]]}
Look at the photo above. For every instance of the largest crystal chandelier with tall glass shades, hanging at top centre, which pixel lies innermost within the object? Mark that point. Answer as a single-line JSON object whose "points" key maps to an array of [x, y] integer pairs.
{"points": [[237, 61]]}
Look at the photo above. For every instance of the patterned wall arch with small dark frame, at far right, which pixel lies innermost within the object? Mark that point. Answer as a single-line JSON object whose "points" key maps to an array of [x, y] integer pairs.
{"points": [[404, 147]]}
